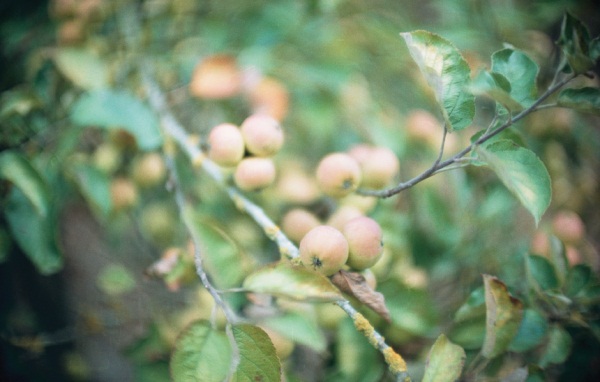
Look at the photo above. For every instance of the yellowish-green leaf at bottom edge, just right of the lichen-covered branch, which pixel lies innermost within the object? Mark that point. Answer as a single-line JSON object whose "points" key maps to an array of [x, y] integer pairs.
{"points": [[444, 362]]}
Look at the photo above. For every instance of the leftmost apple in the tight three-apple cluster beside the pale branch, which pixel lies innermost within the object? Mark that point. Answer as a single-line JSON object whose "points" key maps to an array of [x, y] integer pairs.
{"points": [[226, 145]]}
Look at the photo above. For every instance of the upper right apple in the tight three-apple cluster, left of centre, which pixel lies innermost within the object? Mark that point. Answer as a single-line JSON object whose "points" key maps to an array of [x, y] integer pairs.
{"points": [[262, 134]]}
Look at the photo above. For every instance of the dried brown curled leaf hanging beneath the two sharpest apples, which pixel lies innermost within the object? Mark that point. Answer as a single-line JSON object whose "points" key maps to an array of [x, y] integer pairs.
{"points": [[354, 284]]}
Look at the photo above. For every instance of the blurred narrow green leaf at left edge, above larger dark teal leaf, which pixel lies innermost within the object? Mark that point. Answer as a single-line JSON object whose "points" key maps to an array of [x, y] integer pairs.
{"points": [[18, 170]]}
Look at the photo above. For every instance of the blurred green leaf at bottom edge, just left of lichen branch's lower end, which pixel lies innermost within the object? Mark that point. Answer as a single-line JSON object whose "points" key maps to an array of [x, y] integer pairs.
{"points": [[356, 359]]}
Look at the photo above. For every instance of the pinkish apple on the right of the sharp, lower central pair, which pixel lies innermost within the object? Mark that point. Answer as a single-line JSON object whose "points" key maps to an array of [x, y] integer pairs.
{"points": [[364, 242]]}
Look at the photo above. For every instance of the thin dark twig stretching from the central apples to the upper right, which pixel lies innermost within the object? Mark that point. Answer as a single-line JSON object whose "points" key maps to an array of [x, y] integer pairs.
{"points": [[438, 165]]}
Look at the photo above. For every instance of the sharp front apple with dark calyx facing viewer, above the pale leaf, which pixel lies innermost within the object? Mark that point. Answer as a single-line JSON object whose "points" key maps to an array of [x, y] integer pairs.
{"points": [[324, 249]]}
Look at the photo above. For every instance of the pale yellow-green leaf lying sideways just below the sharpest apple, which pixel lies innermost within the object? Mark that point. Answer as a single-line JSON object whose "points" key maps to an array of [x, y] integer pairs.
{"points": [[296, 282]]}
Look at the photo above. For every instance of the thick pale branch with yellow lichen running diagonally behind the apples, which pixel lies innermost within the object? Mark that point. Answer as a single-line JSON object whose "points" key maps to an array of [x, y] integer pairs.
{"points": [[173, 129]]}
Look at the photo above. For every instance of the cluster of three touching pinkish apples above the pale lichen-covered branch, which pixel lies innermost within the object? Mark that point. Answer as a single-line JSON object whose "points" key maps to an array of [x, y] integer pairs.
{"points": [[249, 149]]}
